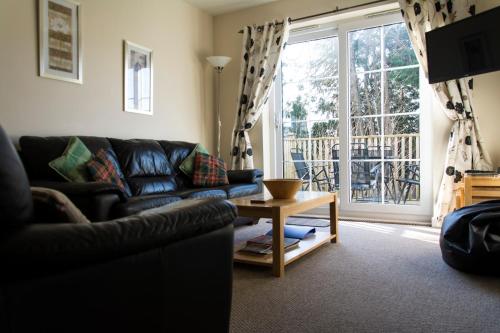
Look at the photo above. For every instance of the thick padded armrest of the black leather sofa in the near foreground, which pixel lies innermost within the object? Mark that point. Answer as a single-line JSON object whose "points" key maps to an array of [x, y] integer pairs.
{"points": [[41, 249]]}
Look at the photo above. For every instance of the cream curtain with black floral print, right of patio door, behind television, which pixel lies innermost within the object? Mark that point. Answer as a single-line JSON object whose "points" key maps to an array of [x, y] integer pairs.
{"points": [[465, 151]]}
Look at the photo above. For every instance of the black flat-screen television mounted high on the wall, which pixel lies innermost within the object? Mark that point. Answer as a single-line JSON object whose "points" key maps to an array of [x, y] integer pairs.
{"points": [[467, 47]]}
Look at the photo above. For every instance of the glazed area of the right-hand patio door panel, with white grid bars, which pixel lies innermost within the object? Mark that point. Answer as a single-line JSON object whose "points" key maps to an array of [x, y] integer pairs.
{"points": [[384, 116]]}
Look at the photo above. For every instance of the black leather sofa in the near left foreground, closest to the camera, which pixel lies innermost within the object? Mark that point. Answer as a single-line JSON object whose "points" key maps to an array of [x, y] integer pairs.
{"points": [[167, 269]]}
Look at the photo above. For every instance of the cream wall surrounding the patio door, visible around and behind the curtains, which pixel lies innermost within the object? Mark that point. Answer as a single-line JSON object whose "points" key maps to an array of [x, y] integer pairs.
{"points": [[228, 42]]}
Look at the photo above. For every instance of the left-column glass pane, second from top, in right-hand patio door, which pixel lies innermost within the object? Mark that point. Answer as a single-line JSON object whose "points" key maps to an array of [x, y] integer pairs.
{"points": [[365, 94]]}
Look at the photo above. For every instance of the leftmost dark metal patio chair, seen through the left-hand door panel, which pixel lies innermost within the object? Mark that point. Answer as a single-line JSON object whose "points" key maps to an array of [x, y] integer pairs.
{"points": [[317, 174]]}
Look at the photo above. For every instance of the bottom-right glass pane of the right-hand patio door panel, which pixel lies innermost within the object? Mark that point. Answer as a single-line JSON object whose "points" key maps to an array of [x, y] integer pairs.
{"points": [[402, 182]]}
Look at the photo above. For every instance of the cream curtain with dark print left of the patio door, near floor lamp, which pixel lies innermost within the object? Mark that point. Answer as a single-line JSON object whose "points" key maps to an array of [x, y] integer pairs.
{"points": [[262, 47]]}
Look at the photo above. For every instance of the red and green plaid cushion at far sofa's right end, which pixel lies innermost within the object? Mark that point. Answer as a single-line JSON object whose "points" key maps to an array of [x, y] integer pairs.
{"points": [[209, 171]]}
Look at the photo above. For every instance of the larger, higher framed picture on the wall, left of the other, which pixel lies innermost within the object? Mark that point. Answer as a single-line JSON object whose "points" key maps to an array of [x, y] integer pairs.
{"points": [[60, 40]]}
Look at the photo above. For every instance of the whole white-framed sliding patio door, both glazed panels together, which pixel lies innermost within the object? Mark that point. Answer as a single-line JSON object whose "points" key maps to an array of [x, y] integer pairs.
{"points": [[349, 117]]}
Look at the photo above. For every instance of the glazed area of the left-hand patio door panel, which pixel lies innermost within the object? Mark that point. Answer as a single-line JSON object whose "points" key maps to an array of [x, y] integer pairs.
{"points": [[309, 84]]}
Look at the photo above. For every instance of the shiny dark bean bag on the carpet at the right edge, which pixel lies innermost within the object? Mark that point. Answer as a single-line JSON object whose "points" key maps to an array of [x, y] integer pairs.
{"points": [[470, 238]]}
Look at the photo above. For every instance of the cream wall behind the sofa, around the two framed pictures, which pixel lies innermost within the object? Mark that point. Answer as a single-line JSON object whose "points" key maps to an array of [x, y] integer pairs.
{"points": [[180, 36]]}
